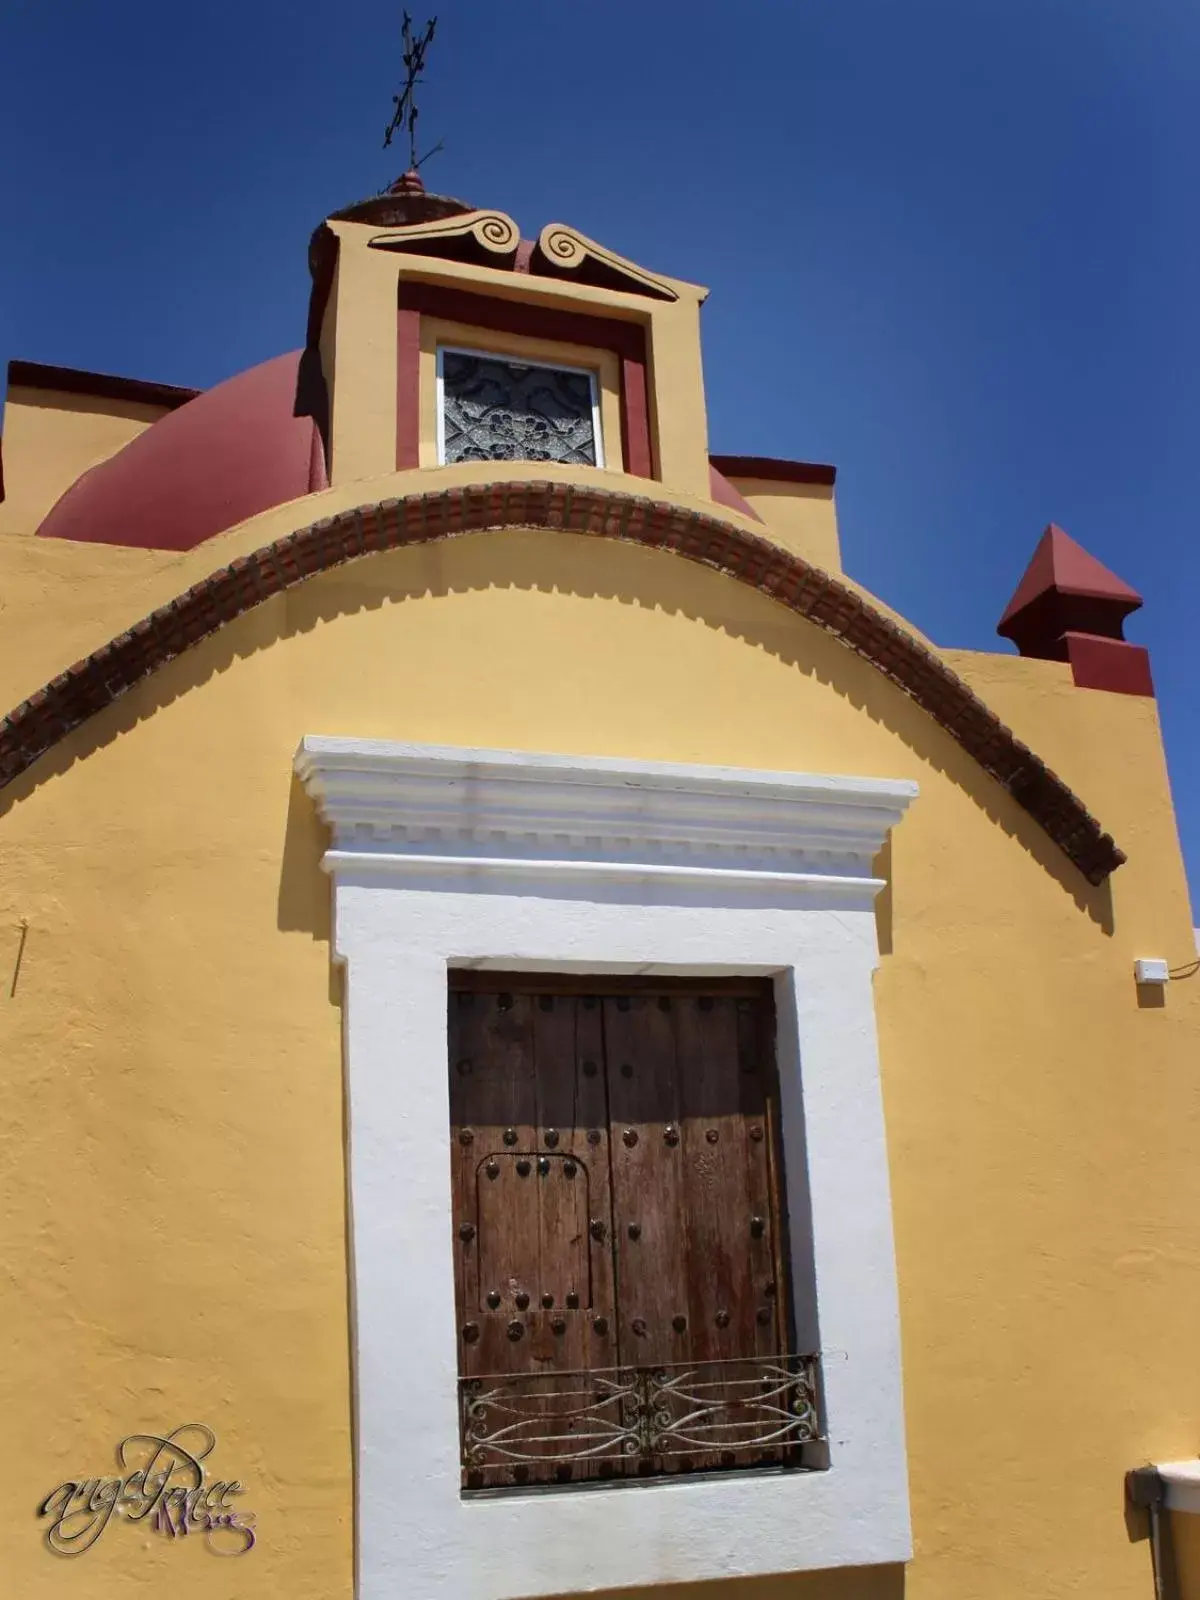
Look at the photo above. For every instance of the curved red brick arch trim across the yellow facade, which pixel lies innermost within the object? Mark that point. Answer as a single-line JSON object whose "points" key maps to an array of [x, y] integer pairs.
{"points": [[103, 678]]}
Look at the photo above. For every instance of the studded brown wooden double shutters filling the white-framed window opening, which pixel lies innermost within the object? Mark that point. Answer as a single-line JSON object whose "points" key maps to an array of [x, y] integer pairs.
{"points": [[623, 1305]]}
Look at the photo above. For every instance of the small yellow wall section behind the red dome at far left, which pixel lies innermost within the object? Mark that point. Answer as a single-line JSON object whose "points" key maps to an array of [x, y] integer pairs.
{"points": [[50, 439]]}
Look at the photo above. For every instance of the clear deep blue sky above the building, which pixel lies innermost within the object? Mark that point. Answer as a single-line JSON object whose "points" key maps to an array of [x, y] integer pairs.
{"points": [[954, 246]]}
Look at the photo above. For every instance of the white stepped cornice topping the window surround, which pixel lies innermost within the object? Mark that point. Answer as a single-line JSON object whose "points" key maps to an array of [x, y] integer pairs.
{"points": [[426, 812]]}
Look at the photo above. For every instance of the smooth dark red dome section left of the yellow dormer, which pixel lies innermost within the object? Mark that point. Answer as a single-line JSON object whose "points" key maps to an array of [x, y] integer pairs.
{"points": [[228, 455]]}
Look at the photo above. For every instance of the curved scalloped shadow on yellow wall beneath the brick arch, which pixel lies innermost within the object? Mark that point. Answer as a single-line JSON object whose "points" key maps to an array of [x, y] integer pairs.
{"points": [[652, 580]]}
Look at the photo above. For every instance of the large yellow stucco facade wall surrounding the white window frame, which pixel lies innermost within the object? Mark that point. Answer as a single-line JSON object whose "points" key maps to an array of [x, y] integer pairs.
{"points": [[172, 1102]]}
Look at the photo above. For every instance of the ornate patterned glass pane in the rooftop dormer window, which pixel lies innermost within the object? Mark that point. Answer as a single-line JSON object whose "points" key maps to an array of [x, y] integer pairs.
{"points": [[502, 410]]}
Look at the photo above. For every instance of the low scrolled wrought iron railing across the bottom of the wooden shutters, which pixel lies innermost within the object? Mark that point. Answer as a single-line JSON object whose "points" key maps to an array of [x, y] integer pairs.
{"points": [[638, 1422]]}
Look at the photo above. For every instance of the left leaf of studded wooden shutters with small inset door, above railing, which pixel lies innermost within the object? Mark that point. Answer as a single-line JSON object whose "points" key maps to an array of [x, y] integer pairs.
{"points": [[532, 1183]]}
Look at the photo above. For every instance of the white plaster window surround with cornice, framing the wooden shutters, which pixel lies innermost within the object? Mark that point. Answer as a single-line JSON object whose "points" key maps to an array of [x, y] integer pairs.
{"points": [[458, 858]]}
